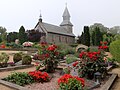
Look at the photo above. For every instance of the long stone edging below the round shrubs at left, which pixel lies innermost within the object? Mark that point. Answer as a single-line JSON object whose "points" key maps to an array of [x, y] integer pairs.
{"points": [[15, 67]]}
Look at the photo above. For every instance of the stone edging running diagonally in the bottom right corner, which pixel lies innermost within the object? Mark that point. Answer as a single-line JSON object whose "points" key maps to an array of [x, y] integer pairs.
{"points": [[110, 82]]}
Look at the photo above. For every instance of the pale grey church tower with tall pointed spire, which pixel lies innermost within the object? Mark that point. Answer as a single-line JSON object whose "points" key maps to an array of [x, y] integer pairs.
{"points": [[66, 21]]}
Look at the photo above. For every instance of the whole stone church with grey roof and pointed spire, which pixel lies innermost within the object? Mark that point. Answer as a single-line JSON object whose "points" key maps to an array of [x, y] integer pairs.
{"points": [[56, 34]]}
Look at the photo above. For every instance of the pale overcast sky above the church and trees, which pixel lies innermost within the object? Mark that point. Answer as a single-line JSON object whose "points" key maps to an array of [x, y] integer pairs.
{"points": [[15, 13]]}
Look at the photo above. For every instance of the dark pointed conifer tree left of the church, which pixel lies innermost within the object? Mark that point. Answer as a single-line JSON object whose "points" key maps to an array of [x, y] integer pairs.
{"points": [[22, 35]]}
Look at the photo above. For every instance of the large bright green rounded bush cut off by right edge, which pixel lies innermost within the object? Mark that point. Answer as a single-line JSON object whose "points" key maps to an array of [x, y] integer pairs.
{"points": [[115, 50]]}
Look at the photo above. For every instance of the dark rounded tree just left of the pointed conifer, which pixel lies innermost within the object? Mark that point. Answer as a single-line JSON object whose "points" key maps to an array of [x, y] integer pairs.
{"points": [[12, 36]]}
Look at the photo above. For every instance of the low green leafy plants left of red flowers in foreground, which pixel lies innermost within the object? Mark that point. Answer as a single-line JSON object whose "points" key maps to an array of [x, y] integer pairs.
{"points": [[20, 78]]}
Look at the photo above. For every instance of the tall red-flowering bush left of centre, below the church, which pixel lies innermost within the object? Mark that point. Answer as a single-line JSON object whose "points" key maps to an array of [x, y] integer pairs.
{"points": [[50, 55]]}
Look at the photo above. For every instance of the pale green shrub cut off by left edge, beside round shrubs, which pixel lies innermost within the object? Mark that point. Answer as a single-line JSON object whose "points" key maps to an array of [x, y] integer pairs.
{"points": [[3, 59]]}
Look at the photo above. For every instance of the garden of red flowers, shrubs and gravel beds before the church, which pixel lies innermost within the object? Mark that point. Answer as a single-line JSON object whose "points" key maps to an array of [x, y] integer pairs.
{"points": [[57, 67]]}
